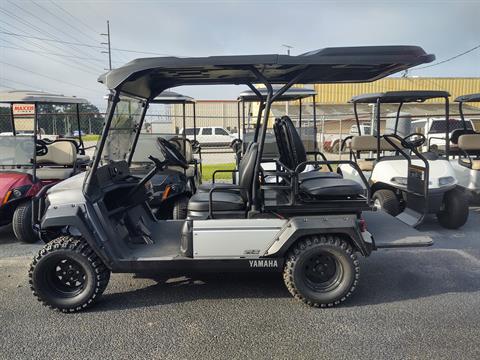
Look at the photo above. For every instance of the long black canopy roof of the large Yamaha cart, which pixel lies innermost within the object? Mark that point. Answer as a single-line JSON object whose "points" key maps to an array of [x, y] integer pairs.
{"points": [[148, 77]]}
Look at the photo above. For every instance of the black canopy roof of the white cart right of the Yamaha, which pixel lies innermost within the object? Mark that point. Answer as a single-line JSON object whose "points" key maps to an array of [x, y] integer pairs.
{"points": [[399, 96]]}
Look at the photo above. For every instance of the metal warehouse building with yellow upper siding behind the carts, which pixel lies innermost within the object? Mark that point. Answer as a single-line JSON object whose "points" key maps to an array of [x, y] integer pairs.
{"points": [[333, 110]]}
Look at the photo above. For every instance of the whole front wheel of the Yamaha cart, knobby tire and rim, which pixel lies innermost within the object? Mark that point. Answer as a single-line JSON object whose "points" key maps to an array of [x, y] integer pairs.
{"points": [[67, 275]]}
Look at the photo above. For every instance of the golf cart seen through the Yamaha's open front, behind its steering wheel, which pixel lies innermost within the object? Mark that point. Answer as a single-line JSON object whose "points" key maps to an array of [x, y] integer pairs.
{"points": [[172, 187]]}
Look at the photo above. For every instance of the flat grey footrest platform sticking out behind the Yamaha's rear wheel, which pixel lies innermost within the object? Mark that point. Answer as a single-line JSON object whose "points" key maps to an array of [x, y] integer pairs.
{"points": [[390, 233]]}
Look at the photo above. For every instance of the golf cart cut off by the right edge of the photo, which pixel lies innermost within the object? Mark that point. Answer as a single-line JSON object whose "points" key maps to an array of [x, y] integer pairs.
{"points": [[467, 162]]}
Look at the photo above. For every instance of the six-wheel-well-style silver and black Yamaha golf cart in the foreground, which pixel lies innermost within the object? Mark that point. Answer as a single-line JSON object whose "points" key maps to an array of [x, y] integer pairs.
{"points": [[312, 231]]}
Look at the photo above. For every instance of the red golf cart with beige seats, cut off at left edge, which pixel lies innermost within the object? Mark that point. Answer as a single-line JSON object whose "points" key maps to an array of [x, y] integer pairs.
{"points": [[30, 160]]}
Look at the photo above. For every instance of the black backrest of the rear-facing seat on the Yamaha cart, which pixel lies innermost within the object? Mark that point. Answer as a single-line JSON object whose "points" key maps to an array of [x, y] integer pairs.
{"points": [[295, 150]]}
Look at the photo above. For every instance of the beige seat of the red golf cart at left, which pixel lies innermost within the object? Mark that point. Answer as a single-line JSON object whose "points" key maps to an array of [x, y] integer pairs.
{"points": [[59, 162]]}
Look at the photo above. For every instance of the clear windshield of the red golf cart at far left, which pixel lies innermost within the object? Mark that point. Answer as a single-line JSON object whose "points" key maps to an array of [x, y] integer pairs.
{"points": [[16, 151]]}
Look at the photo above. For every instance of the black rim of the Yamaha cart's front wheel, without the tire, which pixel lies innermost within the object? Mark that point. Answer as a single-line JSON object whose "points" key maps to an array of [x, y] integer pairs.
{"points": [[66, 278]]}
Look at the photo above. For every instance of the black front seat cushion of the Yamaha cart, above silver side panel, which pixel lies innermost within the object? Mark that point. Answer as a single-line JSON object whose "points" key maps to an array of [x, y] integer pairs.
{"points": [[222, 201]]}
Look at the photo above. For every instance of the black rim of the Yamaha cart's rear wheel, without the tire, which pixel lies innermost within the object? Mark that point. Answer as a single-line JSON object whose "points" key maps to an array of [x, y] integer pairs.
{"points": [[322, 272]]}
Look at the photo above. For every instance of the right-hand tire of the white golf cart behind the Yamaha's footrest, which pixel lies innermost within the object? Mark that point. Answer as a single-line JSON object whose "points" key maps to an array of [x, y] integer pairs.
{"points": [[455, 209]]}
